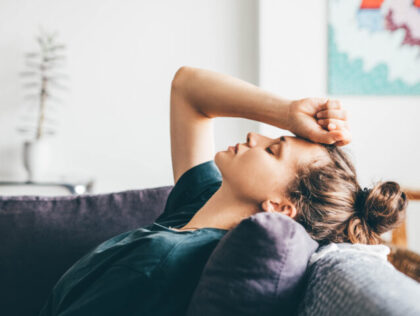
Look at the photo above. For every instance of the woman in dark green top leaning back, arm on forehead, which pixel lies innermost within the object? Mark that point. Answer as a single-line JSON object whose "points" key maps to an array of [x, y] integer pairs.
{"points": [[154, 270]]}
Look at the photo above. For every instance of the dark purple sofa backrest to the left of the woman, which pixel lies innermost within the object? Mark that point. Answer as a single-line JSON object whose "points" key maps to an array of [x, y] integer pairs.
{"points": [[41, 237]]}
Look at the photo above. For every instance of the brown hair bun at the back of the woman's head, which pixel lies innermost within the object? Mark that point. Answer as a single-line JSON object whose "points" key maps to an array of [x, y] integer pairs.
{"points": [[382, 207]]}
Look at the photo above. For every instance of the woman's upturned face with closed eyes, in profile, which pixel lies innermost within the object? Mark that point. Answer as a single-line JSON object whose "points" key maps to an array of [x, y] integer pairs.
{"points": [[262, 167]]}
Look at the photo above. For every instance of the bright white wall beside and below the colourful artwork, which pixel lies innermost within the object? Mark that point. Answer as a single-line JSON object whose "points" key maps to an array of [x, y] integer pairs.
{"points": [[293, 63]]}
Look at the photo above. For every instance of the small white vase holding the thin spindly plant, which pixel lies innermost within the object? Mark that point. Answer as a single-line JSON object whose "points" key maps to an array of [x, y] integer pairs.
{"points": [[36, 158]]}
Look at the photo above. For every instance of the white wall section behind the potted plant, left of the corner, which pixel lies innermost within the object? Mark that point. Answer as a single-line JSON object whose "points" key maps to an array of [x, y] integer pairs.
{"points": [[122, 55]]}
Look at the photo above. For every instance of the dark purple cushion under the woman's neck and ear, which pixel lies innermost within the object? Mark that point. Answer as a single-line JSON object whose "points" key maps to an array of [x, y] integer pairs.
{"points": [[258, 268]]}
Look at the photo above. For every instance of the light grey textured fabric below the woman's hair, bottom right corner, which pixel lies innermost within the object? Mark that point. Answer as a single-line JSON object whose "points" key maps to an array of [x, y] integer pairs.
{"points": [[347, 280]]}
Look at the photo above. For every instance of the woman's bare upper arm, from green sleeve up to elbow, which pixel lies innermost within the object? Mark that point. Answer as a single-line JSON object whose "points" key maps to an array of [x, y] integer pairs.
{"points": [[192, 140]]}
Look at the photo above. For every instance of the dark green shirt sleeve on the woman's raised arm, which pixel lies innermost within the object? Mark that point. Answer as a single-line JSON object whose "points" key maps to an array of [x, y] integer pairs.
{"points": [[190, 192]]}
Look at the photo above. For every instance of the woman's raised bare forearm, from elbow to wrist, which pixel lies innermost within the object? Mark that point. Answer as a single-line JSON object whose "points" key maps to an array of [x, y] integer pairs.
{"points": [[218, 95]]}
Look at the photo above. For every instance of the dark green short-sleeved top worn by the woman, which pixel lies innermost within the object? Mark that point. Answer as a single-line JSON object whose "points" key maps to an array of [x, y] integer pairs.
{"points": [[147, 271]]}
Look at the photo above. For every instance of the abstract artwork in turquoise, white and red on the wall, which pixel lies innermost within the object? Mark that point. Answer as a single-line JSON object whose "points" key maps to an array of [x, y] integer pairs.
{"points": [[374, 47]]}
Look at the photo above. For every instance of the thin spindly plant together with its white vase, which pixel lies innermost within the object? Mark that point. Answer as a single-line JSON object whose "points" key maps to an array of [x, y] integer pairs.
{"points": [[41, 79]]}
